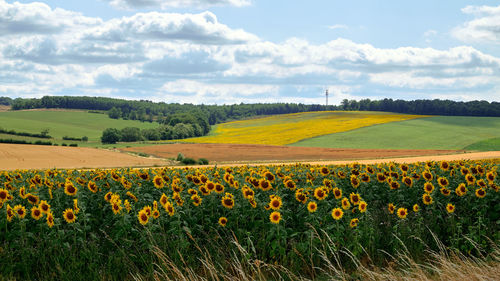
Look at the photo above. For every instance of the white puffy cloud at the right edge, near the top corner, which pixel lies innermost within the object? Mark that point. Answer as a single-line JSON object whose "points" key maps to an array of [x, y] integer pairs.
{"points": [[485, 28]]}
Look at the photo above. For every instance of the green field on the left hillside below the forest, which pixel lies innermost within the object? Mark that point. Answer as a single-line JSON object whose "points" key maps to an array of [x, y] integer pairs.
{"points": [[64, 123]]}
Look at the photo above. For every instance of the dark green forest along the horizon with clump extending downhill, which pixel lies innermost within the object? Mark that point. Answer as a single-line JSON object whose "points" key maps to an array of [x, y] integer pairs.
{"points": [[188, 120]]}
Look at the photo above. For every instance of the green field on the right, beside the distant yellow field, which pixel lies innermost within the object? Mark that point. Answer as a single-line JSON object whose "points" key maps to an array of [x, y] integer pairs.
{"points": [[442, 132]]}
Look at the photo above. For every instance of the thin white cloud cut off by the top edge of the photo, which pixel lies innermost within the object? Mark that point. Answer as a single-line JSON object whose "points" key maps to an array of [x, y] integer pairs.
{"points": [[164, 4]]}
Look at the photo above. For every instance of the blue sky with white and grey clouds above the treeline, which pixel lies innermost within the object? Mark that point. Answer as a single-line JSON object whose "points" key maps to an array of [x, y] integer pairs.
{"points": [[251, 51]]}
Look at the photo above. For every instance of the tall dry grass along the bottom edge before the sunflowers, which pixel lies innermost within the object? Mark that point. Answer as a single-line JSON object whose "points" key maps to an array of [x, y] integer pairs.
{"points": [[240, 264]]}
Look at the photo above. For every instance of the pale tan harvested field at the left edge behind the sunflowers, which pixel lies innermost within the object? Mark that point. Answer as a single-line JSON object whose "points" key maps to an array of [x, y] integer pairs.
{"points": [[20, 156]]}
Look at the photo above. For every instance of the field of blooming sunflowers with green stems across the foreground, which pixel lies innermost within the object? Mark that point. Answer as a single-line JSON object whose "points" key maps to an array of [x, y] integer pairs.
{"points": [[107, 224]]}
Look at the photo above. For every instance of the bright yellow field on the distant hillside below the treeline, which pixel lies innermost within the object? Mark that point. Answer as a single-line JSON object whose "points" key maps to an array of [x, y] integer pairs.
{"points": [[290, 128]]}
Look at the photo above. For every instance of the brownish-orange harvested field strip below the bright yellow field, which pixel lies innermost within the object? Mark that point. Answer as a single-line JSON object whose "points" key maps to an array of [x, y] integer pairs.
{"points": [[248, 152]]}
